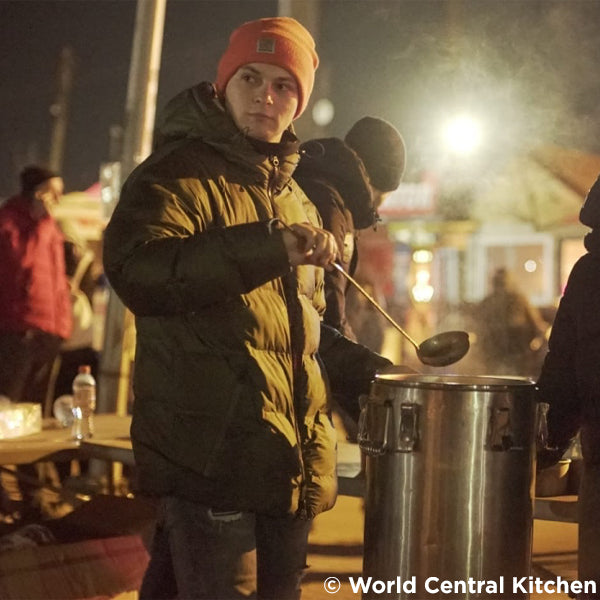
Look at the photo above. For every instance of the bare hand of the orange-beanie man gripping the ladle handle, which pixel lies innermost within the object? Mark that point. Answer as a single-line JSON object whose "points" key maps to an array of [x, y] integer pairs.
{"points": [[309, 245]]}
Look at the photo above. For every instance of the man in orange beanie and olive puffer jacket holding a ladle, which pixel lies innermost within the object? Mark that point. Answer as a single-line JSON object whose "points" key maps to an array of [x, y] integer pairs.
{"points": [[220, 256]]}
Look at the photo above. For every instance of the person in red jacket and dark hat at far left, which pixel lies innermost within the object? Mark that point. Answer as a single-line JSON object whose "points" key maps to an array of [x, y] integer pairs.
{"points": [[35, 303]]}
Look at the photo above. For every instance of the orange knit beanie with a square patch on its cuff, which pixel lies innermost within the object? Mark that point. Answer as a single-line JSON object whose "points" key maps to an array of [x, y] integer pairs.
{"points": [[279, 41]]}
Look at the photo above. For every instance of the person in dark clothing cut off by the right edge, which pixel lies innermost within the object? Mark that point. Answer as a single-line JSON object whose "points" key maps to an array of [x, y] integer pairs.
{"points": [[570, 384]]}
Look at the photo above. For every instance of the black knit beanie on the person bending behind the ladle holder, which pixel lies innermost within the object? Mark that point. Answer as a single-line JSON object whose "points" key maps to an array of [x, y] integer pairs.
{"points": [[381, 148]]}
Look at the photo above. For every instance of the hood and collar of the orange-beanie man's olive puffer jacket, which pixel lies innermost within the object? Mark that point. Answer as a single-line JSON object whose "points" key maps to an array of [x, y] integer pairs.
{"points": [[198, 113]]}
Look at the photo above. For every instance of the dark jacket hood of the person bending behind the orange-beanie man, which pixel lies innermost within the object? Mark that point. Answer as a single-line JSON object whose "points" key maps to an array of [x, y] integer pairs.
{"points": [[335, 163]]}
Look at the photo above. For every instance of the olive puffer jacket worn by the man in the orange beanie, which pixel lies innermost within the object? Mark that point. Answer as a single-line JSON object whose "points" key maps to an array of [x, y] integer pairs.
{"points": [[220, 318]]}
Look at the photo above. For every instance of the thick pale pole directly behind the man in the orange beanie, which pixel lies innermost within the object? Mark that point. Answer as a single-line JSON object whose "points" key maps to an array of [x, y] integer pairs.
{"points": [[119, 339]]}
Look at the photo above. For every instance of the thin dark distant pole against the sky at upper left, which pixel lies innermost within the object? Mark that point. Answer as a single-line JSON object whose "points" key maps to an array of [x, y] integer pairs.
{"points": [[60, 108]]}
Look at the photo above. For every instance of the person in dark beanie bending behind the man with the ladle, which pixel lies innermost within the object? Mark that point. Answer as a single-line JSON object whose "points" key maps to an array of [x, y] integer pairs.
{"points": [[347, 181]]}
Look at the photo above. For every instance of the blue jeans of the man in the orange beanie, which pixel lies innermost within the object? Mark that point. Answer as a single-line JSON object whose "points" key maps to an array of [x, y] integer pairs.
{"points": [[198, 553]]}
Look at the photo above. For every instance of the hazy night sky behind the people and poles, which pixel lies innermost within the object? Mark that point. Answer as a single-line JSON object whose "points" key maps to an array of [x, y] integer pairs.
{"points": [[529, 69]]}
